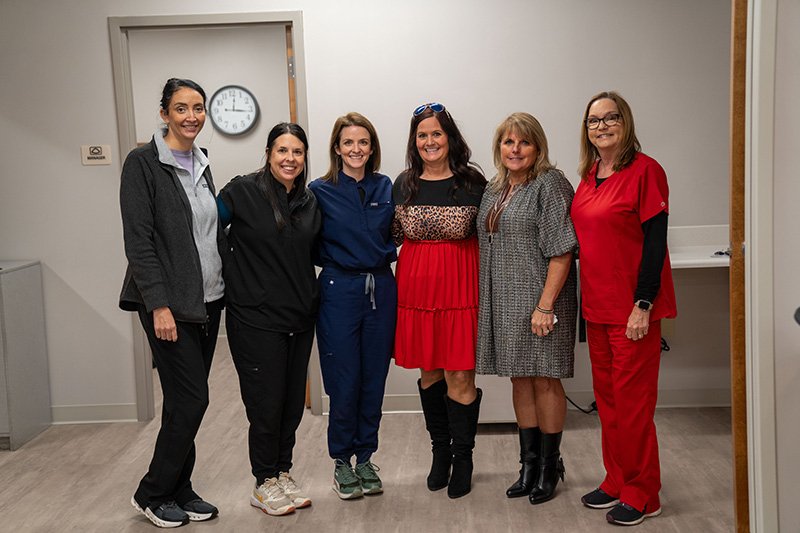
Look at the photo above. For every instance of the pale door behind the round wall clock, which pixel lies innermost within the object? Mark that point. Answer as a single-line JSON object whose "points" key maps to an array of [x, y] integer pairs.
{"points": [[253, 56]]}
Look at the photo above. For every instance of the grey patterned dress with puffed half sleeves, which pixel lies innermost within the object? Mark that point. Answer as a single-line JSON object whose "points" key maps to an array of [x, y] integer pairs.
{"points": [[533, 227]]}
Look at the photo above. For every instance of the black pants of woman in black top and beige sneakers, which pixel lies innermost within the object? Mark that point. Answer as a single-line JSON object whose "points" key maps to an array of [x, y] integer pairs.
{"points": [[272, 370]]}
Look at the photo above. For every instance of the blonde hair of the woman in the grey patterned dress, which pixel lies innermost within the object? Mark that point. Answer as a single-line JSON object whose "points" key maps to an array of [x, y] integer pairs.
{"points": [[526, 126]]}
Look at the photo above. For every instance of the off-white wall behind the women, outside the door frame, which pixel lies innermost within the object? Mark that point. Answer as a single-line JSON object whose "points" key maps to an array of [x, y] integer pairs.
{"points": [[482, 59]]}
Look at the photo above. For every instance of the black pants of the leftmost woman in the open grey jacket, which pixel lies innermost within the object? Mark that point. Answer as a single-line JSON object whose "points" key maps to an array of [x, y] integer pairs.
{"points": [[183, 368]]}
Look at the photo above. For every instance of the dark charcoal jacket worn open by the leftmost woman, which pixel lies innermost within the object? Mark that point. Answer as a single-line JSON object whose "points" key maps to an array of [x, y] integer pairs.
{"points": [[163, 263]]}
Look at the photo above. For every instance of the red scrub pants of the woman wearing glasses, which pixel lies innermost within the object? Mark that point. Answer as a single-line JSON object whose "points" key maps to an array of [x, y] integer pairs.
{"points": [[625, 377]]}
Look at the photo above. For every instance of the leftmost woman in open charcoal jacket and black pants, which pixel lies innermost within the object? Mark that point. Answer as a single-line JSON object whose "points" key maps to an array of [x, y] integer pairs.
{"points": [[173, 243]]}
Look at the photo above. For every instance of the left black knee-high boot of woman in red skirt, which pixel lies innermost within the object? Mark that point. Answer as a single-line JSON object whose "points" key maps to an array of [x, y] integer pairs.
{"points": [[435, 411]]}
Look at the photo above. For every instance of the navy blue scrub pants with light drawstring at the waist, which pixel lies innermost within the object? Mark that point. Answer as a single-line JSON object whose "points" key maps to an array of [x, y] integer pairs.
{"points": [[355, 336]]}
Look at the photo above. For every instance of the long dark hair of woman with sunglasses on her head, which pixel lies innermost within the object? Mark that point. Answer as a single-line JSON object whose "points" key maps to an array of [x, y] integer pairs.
{"points": [[467, 174]]}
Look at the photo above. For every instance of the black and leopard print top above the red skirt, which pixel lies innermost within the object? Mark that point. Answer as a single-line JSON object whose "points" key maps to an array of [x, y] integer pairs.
{"points": [[435, 214]]}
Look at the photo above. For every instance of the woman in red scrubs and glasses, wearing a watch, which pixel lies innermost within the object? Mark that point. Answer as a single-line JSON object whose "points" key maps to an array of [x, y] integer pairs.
{"points": [[620, 215]]}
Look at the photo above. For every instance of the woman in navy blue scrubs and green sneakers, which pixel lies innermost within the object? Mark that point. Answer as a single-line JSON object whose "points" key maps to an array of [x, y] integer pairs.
{"points": [[358, 300]]}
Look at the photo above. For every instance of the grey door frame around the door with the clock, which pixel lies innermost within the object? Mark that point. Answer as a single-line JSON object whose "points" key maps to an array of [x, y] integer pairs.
{"points": [[118, 28]]}
